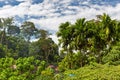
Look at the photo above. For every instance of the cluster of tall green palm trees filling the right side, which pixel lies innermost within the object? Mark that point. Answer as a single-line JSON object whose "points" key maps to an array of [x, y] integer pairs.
{"points": [[92, 38]]}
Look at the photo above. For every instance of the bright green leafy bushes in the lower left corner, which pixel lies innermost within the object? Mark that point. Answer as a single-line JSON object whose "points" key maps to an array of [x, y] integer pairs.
{"points": [[20, 69]]}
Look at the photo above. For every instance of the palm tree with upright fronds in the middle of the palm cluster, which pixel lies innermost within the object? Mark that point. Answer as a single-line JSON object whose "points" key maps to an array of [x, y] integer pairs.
{"points": [[79, 34]]}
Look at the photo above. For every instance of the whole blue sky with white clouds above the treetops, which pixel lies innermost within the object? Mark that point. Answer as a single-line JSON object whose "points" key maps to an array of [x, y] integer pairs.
{"points": [[49, 14]]}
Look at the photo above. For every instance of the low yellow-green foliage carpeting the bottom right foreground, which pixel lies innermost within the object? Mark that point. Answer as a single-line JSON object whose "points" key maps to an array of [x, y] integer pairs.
{"points": [[92, 72]]}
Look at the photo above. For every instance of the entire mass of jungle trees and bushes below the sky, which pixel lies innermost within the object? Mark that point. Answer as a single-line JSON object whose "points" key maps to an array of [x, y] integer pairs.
{"points": [[90, 50]]}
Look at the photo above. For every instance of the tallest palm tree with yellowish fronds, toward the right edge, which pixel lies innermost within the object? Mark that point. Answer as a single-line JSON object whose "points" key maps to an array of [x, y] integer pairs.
{"points": [[108, 27]]}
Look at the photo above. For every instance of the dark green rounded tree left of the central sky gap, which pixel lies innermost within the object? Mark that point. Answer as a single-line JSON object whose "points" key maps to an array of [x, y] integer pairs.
{"points": [[44, 49]]}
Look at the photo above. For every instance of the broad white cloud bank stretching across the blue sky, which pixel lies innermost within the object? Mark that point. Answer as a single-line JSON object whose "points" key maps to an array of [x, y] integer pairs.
{"points": [[50, 9]]}
